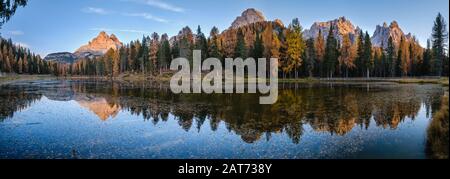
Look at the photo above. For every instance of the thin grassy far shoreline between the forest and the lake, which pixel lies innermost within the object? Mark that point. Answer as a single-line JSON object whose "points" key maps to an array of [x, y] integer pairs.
{"points": [[166, 78]]}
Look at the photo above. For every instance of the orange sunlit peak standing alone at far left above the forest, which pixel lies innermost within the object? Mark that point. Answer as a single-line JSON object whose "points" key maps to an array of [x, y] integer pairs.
{"points": [[99, 46]]}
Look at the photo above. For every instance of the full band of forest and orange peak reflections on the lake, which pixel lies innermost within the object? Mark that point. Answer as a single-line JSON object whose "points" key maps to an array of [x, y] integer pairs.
{"points": [[332, 108]]}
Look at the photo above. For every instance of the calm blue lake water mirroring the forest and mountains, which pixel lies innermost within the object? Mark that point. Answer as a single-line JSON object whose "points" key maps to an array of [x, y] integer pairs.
{"points": [[89, 119]]}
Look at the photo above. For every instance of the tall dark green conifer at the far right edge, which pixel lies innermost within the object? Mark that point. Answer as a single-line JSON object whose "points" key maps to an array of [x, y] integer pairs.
{"points": [[439, 39]]}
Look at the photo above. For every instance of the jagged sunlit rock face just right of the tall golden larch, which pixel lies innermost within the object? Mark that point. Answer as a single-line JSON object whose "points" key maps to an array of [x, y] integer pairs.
{"points": [[341, 27]]}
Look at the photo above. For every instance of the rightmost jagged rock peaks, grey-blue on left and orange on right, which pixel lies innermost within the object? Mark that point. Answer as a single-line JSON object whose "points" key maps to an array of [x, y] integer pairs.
{"points": [[381, 35]]}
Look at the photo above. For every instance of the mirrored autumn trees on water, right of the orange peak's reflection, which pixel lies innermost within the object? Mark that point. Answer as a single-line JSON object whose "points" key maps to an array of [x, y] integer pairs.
{"points": [[336, 110]]}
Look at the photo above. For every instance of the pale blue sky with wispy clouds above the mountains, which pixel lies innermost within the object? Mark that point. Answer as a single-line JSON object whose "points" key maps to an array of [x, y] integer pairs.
{"points": [[48, 26]]}
